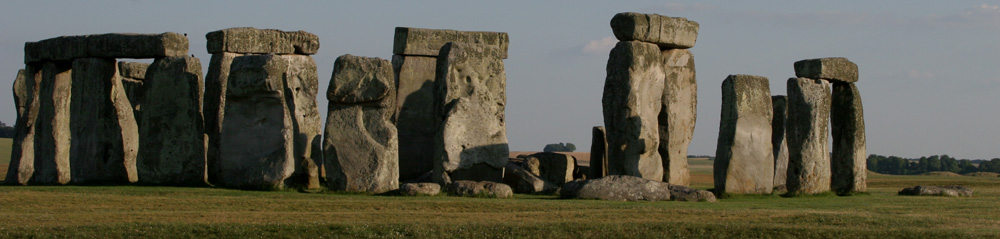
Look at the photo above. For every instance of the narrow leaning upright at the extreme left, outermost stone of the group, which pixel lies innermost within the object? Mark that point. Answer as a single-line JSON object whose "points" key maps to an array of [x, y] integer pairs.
{"points": [[22, 159]]}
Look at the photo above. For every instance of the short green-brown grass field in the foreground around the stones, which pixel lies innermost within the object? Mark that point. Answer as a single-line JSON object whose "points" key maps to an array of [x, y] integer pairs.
{"points": [[128, 211]]}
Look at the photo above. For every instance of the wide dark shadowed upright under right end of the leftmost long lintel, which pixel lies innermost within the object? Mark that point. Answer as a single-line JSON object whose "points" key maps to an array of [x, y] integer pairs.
{"points": [[172, 142]]}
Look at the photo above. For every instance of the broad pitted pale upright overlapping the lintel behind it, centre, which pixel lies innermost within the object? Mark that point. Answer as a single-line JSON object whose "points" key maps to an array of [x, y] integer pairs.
{"points": [[472, 85]]}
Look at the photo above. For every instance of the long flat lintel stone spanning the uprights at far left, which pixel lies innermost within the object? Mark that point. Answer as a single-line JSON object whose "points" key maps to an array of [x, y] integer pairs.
{"points": [[111, 45]]}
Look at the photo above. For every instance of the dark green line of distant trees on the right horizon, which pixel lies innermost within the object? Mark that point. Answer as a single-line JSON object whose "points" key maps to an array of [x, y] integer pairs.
{"points": [[903, 166]]}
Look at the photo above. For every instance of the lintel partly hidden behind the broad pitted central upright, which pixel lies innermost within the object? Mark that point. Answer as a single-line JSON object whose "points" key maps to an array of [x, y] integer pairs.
{"points": [[428, 42]]}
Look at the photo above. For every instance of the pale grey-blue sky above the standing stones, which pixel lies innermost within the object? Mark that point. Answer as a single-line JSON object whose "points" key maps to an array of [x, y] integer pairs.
{"points": [[929, 70]]}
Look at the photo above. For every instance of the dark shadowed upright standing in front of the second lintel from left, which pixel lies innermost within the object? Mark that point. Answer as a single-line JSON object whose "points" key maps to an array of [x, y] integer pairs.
{"points": [[256, 149]]}
